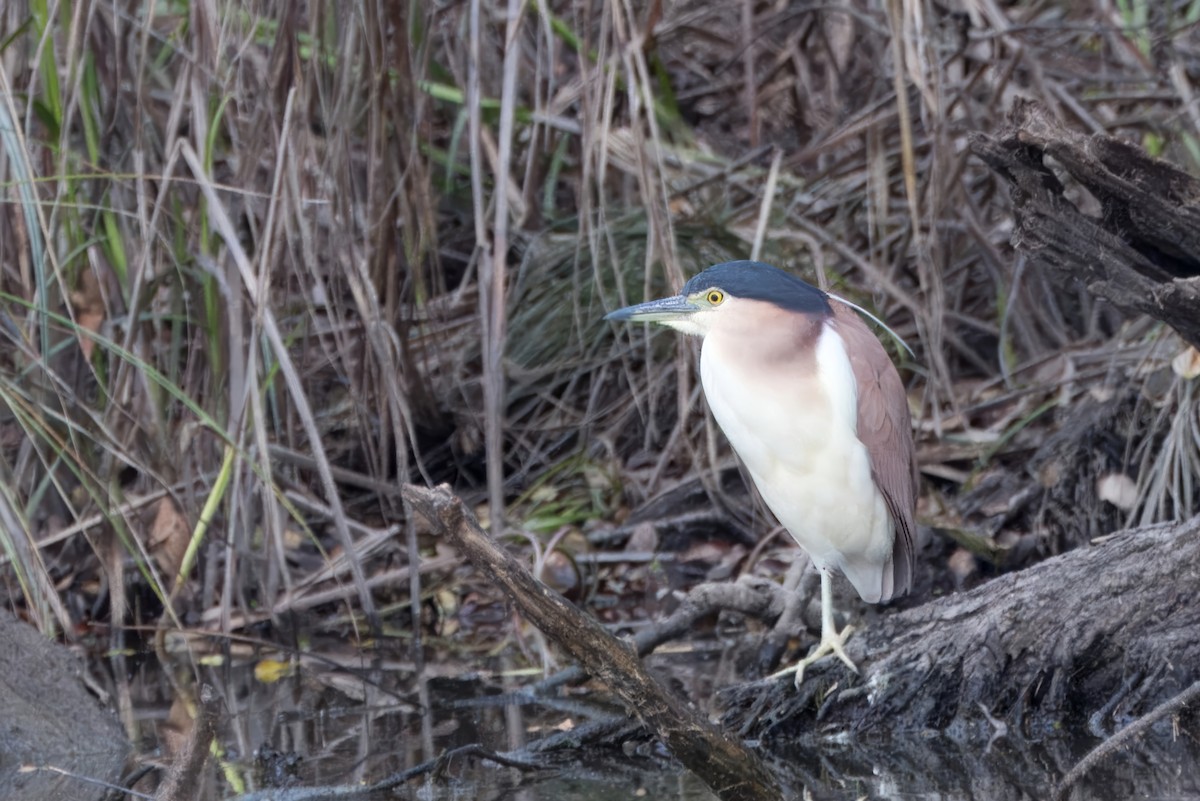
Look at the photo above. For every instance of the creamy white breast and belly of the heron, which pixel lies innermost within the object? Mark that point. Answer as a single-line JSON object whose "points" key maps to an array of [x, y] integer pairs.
{"points": [[799, 442]]}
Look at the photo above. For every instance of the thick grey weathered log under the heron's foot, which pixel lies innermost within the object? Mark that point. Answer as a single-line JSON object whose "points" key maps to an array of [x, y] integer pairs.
{"points": [[1103, 633]]}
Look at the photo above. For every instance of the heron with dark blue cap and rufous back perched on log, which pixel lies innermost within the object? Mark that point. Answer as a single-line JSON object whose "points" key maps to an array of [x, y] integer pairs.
{"points": [[817, 412]]}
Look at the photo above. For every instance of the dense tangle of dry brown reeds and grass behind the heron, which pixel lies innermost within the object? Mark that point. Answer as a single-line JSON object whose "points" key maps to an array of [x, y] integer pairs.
{"points": [[261, 263]]}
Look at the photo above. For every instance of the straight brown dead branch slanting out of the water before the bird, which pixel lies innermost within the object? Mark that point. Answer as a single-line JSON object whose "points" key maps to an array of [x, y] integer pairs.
{"points": [[727, 766]]}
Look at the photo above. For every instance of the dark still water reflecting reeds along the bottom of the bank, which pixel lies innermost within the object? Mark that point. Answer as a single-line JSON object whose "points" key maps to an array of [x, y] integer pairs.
{"points": [[346, 726]]}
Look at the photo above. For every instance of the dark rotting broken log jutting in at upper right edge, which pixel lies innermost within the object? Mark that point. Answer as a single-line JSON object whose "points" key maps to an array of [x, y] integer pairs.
{"points": [[1143, 254]]}
